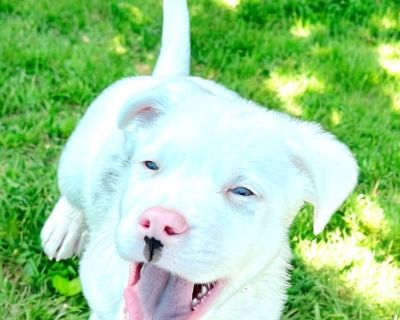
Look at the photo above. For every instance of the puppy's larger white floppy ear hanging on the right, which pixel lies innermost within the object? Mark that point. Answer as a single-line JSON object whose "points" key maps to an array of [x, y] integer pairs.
{"points": [[329, 167]]}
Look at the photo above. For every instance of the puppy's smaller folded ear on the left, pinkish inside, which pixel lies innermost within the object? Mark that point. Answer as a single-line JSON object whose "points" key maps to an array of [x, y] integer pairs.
{"points": [[145, 108]]}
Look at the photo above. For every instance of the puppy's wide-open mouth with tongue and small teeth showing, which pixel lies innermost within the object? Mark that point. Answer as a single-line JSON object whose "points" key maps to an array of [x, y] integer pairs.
{"points": [[154, 293]]}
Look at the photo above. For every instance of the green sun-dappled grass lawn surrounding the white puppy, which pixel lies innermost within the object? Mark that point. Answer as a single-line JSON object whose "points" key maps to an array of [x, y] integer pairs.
{"points": [[336, 62]]}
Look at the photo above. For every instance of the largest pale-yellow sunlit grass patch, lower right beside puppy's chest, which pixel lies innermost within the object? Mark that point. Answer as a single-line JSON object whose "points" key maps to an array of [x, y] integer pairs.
{"points": [[378, 281]]}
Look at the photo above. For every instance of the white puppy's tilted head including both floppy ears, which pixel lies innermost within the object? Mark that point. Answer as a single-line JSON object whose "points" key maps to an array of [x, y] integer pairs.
{"points": [[234, 172]]}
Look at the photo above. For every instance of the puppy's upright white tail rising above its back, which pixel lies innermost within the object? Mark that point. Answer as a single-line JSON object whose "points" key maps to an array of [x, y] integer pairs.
{"points": [[174, 58]]}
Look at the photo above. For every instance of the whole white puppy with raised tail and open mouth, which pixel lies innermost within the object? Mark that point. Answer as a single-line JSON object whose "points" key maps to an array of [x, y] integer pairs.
{"points": [[186, 192]]}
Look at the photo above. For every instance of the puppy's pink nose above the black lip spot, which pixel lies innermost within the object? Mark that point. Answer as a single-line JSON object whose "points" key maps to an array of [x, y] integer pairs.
{"points": [[162, 223]]}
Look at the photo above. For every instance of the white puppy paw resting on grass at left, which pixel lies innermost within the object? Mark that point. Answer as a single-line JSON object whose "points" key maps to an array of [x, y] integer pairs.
{"points": [[64, 232]]}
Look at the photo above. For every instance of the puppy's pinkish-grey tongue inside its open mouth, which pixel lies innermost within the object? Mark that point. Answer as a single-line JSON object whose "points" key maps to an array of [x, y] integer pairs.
{"points": [[161, 295]]}
